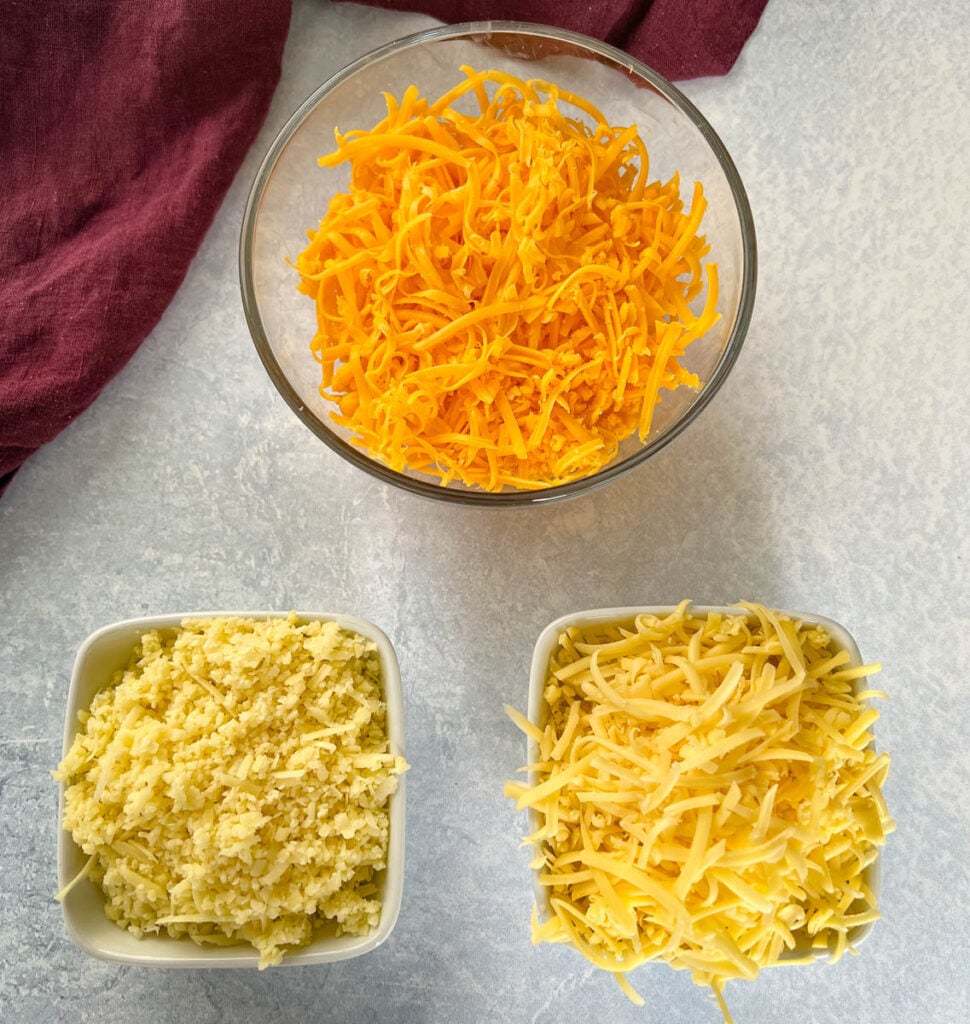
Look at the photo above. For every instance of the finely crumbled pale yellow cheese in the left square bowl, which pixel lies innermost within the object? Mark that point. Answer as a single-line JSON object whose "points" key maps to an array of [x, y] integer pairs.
{"points": [[233, 783]]}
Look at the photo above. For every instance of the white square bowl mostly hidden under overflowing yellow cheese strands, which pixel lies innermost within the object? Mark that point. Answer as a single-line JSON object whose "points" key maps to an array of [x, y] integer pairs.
{"points": [[546, 645]]}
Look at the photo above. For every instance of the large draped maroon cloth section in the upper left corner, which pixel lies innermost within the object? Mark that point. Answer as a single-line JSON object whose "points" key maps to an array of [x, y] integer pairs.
{"points": [[122, 125]]}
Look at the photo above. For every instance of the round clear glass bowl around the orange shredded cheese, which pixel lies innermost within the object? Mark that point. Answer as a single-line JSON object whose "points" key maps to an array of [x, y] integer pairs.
{"points": [[291, 194]]}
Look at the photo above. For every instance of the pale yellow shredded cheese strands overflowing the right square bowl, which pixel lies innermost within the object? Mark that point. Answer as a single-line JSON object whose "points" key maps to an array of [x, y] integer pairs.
{"points": [[705, 794]]}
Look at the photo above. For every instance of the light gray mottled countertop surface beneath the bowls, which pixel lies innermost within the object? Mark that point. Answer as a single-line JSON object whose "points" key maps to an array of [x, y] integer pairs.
{"points": [[830, 476]]}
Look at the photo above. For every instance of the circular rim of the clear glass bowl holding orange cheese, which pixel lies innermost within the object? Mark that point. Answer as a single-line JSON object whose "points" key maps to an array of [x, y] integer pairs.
{"points": [[619, 59]]}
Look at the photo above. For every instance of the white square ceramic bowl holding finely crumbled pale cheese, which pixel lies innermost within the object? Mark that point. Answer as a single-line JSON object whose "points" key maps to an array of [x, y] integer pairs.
{"points": [[104, 654]]}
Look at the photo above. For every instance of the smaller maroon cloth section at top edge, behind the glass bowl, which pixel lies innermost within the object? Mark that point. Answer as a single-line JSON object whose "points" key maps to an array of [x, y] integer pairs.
{"points": [[681, 39]]}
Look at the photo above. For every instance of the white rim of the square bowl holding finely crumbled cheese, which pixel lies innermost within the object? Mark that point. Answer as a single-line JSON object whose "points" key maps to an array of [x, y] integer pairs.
{"points": [[329, 951]]}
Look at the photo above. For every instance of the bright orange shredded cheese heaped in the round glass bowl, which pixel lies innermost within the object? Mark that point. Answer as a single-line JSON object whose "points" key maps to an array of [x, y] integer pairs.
{"points": [[502, 293]]}
